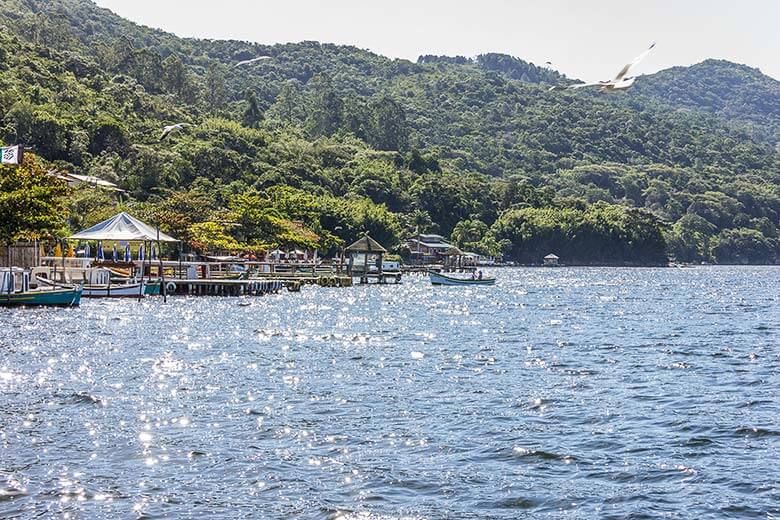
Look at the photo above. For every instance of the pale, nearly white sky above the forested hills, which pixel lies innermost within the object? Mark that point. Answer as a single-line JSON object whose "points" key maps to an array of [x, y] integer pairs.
{"points": [[588, 40]]}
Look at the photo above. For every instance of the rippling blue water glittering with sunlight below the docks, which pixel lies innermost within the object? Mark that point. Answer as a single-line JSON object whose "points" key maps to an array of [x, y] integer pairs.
{"points": [[559, 393]]}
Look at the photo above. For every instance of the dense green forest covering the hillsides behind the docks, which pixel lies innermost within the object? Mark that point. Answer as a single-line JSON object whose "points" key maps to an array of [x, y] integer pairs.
{"points": [[321, 143]]}
